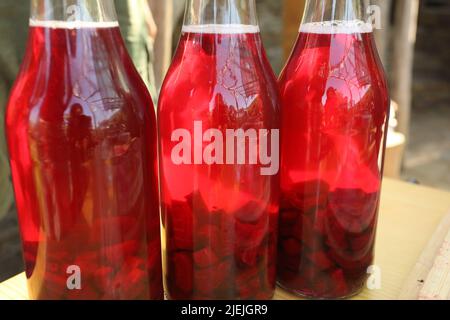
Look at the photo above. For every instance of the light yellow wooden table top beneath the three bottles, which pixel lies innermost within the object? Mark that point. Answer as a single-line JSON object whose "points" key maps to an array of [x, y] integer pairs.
{"points": [[409, 216]]}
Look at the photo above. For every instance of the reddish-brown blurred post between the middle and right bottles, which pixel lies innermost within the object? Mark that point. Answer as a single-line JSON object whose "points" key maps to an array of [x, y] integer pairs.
{"points": [[292, 16]]}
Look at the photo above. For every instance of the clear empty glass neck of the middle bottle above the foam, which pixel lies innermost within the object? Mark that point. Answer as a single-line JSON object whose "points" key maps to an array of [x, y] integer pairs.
{"points": [[220, 12]]}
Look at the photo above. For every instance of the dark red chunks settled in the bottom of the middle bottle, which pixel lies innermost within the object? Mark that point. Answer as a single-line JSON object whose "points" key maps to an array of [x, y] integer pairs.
{"points": [[220, 254]]}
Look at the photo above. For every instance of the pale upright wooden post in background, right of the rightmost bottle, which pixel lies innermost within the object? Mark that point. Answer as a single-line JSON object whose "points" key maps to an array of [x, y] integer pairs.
{"points": [[407, 12]]}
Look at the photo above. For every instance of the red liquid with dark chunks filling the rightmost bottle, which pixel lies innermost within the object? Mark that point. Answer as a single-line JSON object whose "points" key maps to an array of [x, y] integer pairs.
{"points": [[335, 111]]}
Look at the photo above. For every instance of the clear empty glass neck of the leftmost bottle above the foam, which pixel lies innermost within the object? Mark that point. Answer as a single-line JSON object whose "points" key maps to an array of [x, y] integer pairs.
{"points": [[73, 10]]}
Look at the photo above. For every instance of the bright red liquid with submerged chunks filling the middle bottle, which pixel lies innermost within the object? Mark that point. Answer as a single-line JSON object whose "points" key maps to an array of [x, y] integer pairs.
{"points": [[220, 219]]}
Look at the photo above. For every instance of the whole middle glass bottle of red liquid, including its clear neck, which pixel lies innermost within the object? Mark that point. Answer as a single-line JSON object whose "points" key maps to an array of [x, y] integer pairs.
{"points": [[219, 132]]}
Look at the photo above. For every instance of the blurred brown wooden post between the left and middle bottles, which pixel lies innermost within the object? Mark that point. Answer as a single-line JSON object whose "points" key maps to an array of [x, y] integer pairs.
{"points": [[163, 14]]}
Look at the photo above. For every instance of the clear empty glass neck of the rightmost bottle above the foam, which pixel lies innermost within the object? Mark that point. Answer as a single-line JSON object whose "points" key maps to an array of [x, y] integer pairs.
{"points": [[335, 10]]}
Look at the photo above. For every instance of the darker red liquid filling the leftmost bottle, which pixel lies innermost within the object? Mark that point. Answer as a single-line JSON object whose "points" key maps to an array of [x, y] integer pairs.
{"points": [[82, 141]]}
